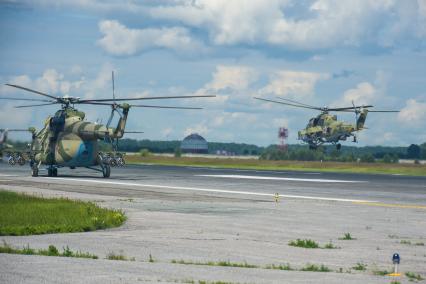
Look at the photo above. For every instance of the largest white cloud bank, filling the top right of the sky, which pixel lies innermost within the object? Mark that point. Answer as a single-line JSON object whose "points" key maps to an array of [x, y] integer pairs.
{"points": [[322, 24]]}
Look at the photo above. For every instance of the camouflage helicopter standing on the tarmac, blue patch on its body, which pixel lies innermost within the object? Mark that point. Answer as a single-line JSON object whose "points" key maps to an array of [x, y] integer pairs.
{"points": [[67, 140]]}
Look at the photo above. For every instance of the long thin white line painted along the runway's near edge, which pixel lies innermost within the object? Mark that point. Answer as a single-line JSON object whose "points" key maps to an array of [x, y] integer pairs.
{"points": [[210, 190]]}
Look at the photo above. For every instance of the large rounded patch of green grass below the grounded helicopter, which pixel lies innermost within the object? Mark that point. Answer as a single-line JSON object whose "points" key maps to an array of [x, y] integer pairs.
{"points": [[22, 214]]}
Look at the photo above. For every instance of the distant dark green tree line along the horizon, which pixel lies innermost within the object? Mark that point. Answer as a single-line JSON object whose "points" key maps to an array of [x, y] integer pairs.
{"points": [[274, 152]]}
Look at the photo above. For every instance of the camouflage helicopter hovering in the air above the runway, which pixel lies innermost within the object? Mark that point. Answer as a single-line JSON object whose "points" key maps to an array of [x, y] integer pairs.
{"points": [[325, 128]]}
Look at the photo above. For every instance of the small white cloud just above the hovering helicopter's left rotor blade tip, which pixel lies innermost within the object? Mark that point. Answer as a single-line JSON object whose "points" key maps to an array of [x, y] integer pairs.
{"points": [[295, 84]]}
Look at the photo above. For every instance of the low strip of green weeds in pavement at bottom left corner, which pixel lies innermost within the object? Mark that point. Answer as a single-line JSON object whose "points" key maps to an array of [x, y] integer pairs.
{"points": [[50, 251]]}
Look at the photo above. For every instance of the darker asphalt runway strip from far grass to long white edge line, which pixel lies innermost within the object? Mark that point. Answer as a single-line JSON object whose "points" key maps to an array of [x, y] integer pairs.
{"points": [[388, 189]]}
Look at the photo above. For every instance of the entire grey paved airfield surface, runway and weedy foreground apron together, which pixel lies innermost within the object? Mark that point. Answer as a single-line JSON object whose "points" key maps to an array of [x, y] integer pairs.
{"points": [[206, 214]]}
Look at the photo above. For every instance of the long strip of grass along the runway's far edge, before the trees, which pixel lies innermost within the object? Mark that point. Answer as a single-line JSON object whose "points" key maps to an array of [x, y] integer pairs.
{"points": [[366, 168]]}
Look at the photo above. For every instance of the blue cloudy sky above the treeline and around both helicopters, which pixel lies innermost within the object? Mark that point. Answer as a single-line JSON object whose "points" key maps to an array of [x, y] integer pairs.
{"points": [[320, 52]]}
